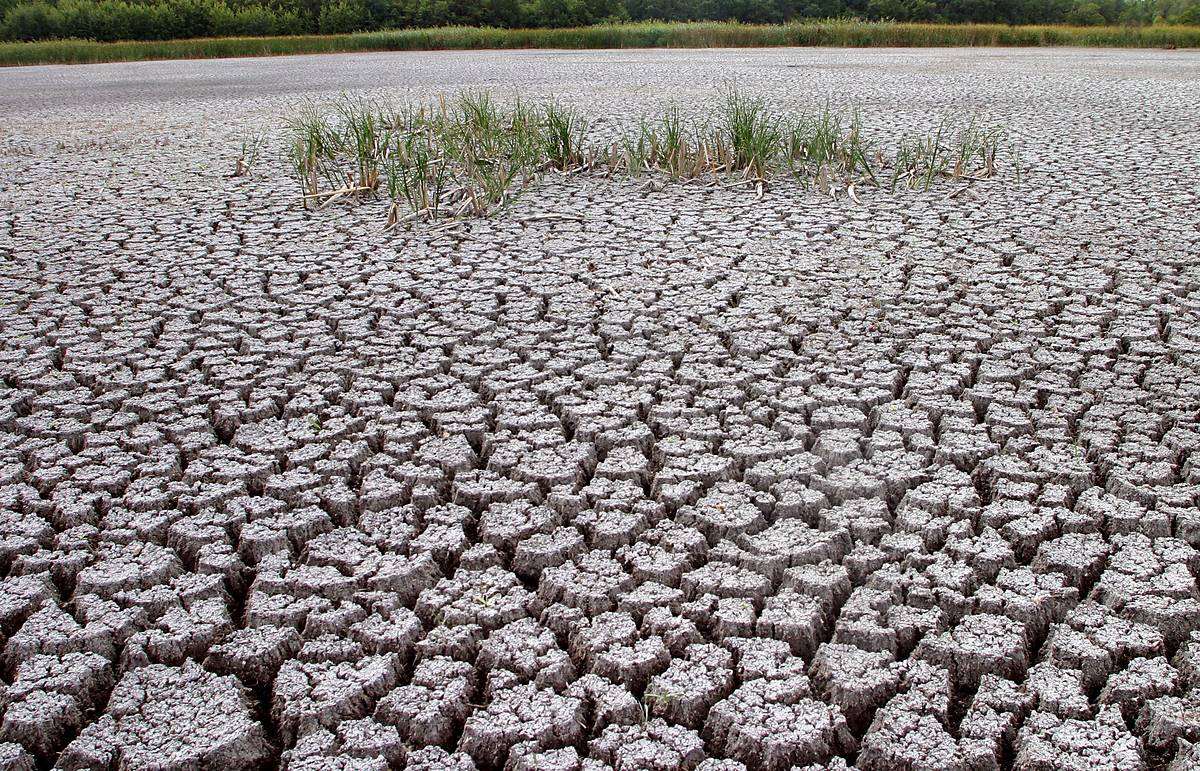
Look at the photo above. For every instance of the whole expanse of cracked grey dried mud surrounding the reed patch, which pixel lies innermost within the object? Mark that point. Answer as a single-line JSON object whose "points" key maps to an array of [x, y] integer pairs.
{"points": [[698, 482]]}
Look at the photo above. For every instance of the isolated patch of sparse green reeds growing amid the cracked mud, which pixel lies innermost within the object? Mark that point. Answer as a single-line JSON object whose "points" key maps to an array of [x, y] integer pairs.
{"points": [[470, 157]]}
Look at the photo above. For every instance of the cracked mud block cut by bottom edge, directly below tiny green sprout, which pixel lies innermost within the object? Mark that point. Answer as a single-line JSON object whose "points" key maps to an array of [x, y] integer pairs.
{"points": [[651, 746]]}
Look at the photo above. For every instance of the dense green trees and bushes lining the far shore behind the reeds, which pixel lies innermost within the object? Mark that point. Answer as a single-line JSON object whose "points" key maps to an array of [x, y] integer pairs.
{"points": [[167, 20]]}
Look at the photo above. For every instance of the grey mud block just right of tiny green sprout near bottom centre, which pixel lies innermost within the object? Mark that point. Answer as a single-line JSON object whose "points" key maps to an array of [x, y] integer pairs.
{"points": [[691, 685]]}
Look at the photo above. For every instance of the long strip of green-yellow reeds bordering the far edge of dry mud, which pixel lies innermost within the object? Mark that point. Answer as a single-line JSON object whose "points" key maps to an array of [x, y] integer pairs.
{"points": [[644, 35]]}
